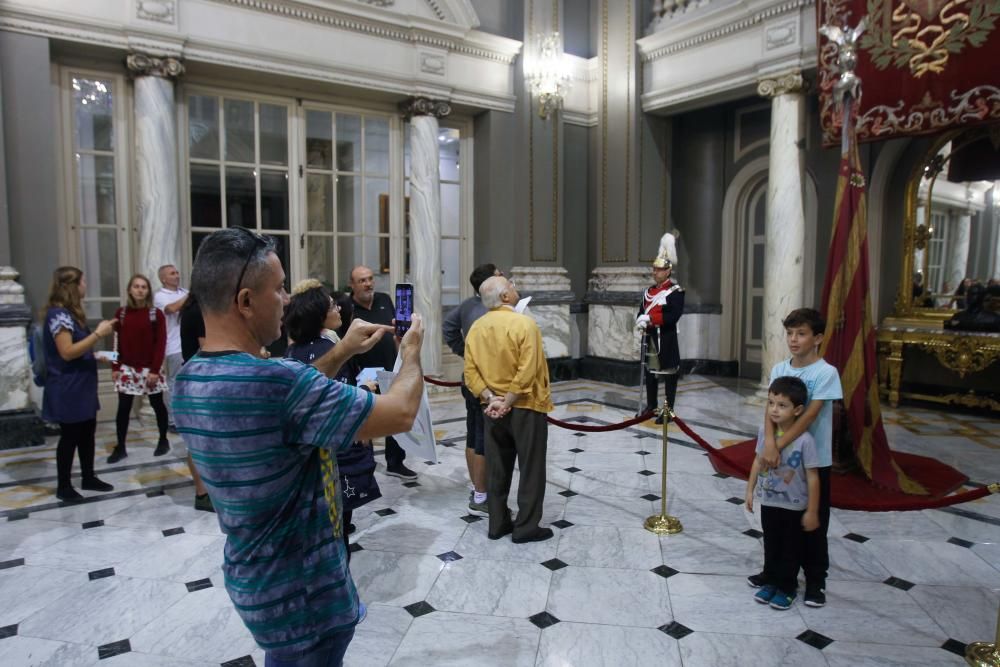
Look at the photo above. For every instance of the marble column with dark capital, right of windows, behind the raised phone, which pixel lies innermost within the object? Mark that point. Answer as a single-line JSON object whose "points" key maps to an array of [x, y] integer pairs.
{"points": [[425, 222]]}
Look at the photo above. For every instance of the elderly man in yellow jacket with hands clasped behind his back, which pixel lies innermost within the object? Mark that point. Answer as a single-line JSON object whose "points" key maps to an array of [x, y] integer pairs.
{"points": [[505, 366]]}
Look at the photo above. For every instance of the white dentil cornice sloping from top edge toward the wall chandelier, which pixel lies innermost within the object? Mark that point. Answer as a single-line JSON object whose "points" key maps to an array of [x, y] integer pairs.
{"points": [[375, 28]]}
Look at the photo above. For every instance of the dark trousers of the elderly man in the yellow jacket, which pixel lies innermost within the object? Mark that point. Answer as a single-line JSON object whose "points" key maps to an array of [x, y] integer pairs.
{"points": [[521, 435]]}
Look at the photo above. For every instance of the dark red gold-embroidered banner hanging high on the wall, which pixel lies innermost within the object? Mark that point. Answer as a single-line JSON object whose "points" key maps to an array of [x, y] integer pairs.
{"points": [[925, 65]]}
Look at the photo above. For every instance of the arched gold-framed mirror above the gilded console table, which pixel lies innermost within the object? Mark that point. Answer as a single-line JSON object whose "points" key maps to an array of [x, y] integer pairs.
{"points": [[952, 230]]}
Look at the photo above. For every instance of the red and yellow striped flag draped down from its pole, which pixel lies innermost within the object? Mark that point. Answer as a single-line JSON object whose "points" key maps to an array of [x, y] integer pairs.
{"points": [[849, 343]]}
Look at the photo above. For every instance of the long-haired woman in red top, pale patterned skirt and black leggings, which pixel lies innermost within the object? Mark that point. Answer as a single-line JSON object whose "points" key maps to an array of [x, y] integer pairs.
{"points": [[141, 343]]}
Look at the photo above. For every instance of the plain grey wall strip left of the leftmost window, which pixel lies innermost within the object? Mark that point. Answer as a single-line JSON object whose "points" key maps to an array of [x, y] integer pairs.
{"points": [[30, 122]]}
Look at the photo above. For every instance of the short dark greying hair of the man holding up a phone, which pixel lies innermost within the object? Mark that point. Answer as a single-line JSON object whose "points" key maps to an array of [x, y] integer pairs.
{"points": [[221, 257]]}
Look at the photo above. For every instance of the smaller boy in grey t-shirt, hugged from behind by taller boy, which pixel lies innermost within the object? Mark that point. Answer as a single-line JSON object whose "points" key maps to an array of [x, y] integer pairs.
{"points": [[788, 494]]}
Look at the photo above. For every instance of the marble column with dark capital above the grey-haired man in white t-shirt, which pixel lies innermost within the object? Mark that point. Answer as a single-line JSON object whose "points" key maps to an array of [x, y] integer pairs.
{"points": [[156, 162]]}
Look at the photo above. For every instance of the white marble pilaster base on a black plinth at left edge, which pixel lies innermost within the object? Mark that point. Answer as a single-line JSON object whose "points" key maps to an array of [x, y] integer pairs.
{"points": [[19, 425]]}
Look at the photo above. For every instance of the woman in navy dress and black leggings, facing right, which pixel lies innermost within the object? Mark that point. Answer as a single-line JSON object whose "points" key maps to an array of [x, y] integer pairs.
{"points": [[70, 396]]}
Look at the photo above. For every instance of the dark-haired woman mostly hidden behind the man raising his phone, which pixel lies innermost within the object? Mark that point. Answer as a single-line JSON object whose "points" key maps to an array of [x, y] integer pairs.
{"points": [[311, 318]]}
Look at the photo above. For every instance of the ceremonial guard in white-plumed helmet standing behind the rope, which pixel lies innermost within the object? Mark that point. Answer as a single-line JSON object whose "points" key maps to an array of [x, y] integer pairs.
{"points": [[662, 305]]}
